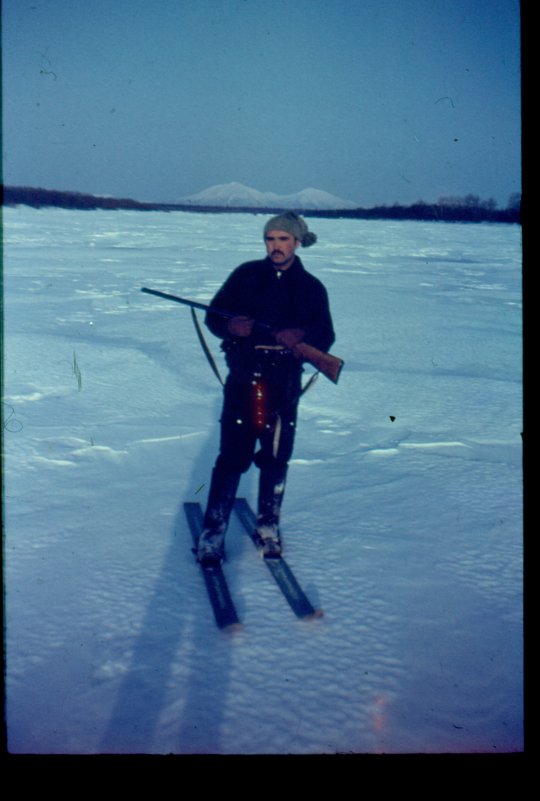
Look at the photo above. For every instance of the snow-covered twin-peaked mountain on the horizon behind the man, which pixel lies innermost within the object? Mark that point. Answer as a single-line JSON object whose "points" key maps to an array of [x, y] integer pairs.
{"points": [[237, 195]]}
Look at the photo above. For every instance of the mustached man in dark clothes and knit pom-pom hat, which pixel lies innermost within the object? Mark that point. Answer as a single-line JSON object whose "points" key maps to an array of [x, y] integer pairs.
{"points": [[263, 387]]}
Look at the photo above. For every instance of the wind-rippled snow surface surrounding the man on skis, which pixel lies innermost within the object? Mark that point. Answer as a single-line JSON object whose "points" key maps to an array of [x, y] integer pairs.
{"points": [[402, 517]]}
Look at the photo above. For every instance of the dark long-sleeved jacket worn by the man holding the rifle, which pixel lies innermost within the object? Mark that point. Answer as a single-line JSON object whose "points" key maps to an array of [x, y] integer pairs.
{"points": [[290, 298]]}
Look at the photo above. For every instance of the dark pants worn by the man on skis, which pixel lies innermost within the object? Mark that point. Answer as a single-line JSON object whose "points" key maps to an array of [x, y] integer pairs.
{"points": [[259, 411]]}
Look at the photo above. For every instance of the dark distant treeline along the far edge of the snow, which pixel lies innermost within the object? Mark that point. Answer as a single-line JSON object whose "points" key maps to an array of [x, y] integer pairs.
{"points": [[450, 209]]}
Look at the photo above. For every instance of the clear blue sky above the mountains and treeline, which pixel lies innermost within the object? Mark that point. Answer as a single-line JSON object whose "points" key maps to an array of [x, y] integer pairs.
{"points": [[374, 101]]}
